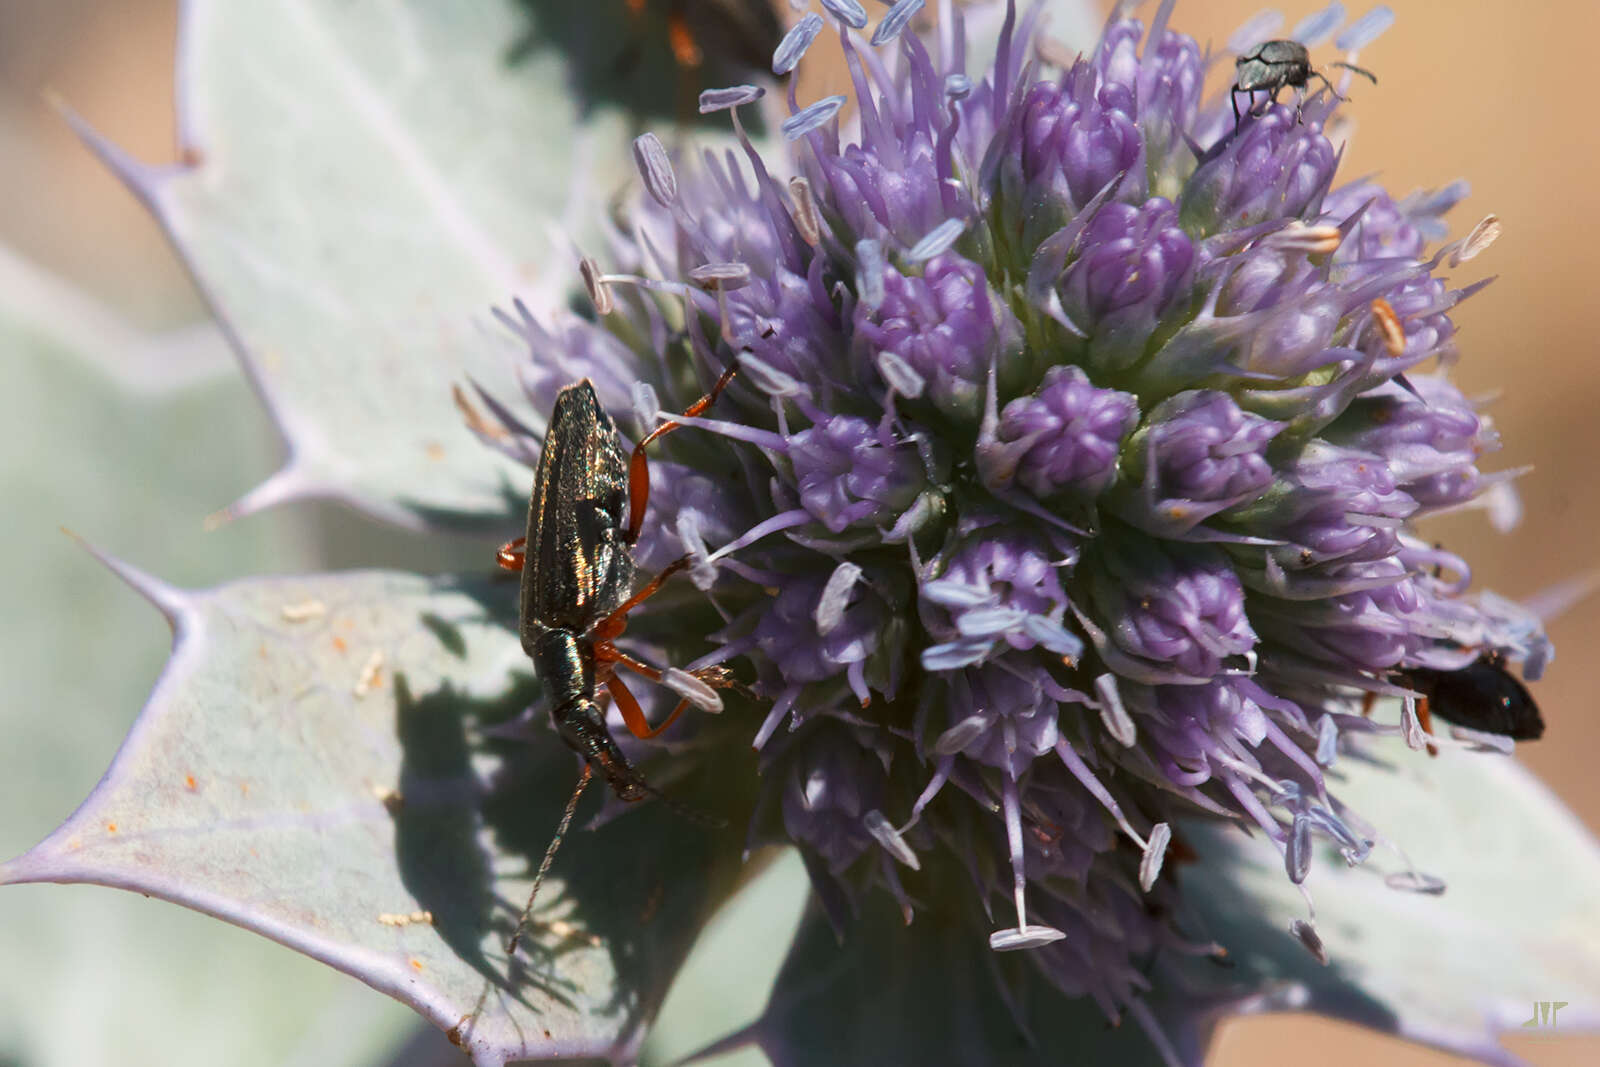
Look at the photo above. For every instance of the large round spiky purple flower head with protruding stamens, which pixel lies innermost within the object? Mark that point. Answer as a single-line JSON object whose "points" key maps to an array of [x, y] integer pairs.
{"points": [[1066, 482]]}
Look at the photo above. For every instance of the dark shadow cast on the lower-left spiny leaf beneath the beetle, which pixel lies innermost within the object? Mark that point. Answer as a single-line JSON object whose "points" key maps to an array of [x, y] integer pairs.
{"points": [[636, 887]]}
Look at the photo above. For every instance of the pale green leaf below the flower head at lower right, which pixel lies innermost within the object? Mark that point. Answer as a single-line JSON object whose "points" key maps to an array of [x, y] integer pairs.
{"points": [[1519, 922]]}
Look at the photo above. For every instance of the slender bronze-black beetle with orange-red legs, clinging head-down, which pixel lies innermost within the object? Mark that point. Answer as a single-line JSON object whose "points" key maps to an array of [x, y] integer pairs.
{"points": [[577, 564]]}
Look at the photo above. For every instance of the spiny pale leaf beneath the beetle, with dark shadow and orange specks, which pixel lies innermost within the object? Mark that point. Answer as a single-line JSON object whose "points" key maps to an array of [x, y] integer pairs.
{"points": [[313, 765]]}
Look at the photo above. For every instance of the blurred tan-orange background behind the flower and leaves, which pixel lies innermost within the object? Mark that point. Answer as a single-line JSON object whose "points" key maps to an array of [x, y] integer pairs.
{"points": [[1497, 94]]}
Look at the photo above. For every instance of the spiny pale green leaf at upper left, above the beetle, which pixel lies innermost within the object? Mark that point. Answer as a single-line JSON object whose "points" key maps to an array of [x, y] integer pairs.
{"points": [[361, 185]]}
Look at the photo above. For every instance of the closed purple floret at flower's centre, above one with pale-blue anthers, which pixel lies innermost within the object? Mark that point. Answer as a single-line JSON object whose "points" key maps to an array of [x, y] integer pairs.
{"points": [[1065, 438]]}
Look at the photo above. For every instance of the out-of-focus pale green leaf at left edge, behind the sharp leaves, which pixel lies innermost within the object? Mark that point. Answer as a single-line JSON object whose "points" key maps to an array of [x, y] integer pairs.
{"points": [[95, 978]]}
